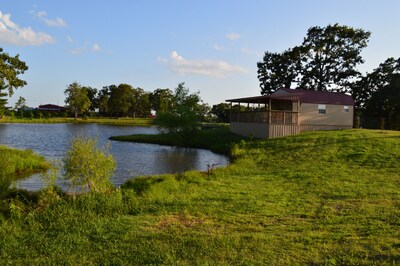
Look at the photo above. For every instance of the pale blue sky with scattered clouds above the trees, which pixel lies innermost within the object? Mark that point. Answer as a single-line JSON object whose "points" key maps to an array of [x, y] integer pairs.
{"points": [[211, 45]]}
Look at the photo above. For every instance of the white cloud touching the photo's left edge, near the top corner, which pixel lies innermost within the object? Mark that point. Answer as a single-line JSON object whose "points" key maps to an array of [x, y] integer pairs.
{"points": [[11, 33]]}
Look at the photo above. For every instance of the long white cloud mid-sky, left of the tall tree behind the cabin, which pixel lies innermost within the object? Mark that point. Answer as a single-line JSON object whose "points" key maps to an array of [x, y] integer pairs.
{"points": [[206, 67]]}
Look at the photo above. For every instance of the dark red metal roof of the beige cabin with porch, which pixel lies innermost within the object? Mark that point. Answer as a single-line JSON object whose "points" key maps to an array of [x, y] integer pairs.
{"points": [[304, 96]]}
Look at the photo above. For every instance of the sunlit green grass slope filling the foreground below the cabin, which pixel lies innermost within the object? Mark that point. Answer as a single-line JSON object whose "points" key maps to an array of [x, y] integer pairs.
{"points": [[317, 198]]}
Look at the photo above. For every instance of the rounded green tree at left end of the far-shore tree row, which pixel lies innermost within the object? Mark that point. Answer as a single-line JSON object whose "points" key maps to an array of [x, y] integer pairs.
{"points": [[77, 99]]}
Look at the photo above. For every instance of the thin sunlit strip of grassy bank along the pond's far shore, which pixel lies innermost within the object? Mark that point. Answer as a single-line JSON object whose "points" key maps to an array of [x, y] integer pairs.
{"points": [[102, 120]]}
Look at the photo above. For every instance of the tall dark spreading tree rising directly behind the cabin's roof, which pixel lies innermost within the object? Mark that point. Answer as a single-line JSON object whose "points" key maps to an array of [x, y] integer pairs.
{"points": [[326, 60]]}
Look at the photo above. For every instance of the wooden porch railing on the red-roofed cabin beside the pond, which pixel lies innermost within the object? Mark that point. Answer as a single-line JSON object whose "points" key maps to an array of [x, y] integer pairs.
{"points": [[271, 117]]}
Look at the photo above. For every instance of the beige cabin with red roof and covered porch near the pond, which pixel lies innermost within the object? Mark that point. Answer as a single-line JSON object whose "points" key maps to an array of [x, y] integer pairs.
{"points": [[288, 111]]}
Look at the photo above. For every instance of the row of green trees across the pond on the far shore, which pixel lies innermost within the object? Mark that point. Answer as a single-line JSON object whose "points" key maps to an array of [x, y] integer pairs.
{"points": [[124, 100]]}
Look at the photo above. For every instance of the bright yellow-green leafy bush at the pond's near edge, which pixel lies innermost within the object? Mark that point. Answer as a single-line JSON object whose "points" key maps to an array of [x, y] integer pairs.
{"points": [[88, 166]]}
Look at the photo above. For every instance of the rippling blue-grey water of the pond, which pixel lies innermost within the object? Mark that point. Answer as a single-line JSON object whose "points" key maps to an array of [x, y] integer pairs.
{"points": [[133, 159]]}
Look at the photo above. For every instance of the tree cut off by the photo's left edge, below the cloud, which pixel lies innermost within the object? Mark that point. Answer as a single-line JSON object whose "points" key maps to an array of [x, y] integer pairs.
{"points": [[10, 69]]}
